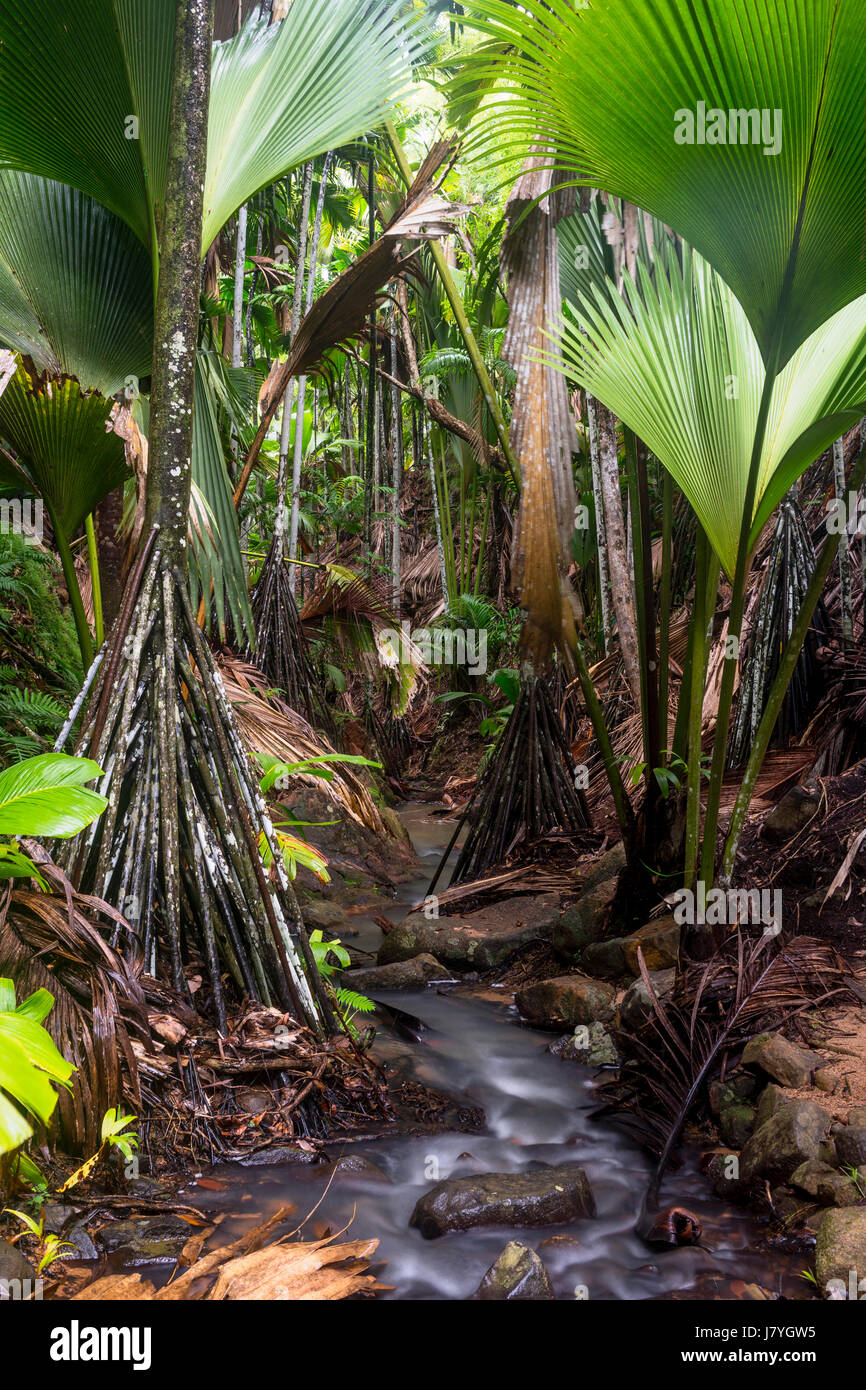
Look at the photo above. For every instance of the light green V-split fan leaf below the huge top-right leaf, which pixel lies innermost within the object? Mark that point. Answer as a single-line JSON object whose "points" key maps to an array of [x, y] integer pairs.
{"points": [[678, 362]]}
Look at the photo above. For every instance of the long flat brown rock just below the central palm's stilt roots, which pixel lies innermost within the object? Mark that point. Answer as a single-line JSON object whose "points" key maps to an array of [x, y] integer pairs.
{"points": [[477, 940]]}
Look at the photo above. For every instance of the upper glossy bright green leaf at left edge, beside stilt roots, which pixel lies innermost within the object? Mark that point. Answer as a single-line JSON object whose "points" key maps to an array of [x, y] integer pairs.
{"points": [[44, 797]]}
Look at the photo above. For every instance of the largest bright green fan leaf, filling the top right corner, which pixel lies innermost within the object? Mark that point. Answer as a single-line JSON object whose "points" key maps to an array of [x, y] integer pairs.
{"points": [[610, 84]]}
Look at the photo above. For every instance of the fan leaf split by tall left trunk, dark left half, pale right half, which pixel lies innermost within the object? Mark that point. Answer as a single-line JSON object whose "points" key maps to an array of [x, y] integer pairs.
{"points": [[88, 105]]}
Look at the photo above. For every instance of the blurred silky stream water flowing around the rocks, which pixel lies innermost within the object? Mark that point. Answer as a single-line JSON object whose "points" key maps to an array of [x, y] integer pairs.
{"points": [[537, 1111]]}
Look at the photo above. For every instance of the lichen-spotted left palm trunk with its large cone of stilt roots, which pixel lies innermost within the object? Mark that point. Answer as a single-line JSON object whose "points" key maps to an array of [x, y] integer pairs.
{"points": [[179, 844]]}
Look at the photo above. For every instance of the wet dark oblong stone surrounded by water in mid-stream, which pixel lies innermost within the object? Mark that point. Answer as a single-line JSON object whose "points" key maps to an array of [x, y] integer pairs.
{"points": [[540, 1197]]}
